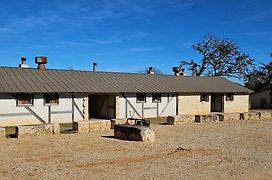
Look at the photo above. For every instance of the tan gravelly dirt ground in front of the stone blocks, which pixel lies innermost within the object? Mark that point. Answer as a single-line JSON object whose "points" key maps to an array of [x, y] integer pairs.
{"points": [[223, 150]]}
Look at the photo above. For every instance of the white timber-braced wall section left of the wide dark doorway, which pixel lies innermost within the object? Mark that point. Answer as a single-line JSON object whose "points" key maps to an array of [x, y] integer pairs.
{"points": [[11, 114]]}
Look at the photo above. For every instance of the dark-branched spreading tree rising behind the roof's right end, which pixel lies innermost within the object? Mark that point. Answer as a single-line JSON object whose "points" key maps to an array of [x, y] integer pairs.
{"points": [[220, 57]]}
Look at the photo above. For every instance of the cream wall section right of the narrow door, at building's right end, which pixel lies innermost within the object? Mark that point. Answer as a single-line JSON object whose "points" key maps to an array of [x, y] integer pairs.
{"points": [[240, 103]]}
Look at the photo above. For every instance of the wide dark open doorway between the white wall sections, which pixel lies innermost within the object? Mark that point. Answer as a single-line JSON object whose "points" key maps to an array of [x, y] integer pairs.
{"points": [[102, 106]]}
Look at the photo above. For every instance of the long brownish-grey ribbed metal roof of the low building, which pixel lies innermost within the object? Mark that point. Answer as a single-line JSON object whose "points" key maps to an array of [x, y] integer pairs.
{"points": [[18, 80]]}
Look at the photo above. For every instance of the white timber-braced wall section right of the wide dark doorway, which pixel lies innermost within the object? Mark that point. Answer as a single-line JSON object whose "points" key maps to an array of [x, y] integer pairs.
{"points": [[166, 107]]}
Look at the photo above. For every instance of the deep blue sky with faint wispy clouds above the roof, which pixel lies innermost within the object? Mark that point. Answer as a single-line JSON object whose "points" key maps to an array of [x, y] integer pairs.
{"points": [[127, 36]]}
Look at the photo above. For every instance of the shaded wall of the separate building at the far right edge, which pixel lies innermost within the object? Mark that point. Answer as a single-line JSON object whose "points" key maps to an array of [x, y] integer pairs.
{"points": [[255, 99]]}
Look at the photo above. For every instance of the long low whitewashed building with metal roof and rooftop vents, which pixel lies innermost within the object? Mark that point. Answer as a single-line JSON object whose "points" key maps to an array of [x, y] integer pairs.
{"points": [[40, 95]]}
